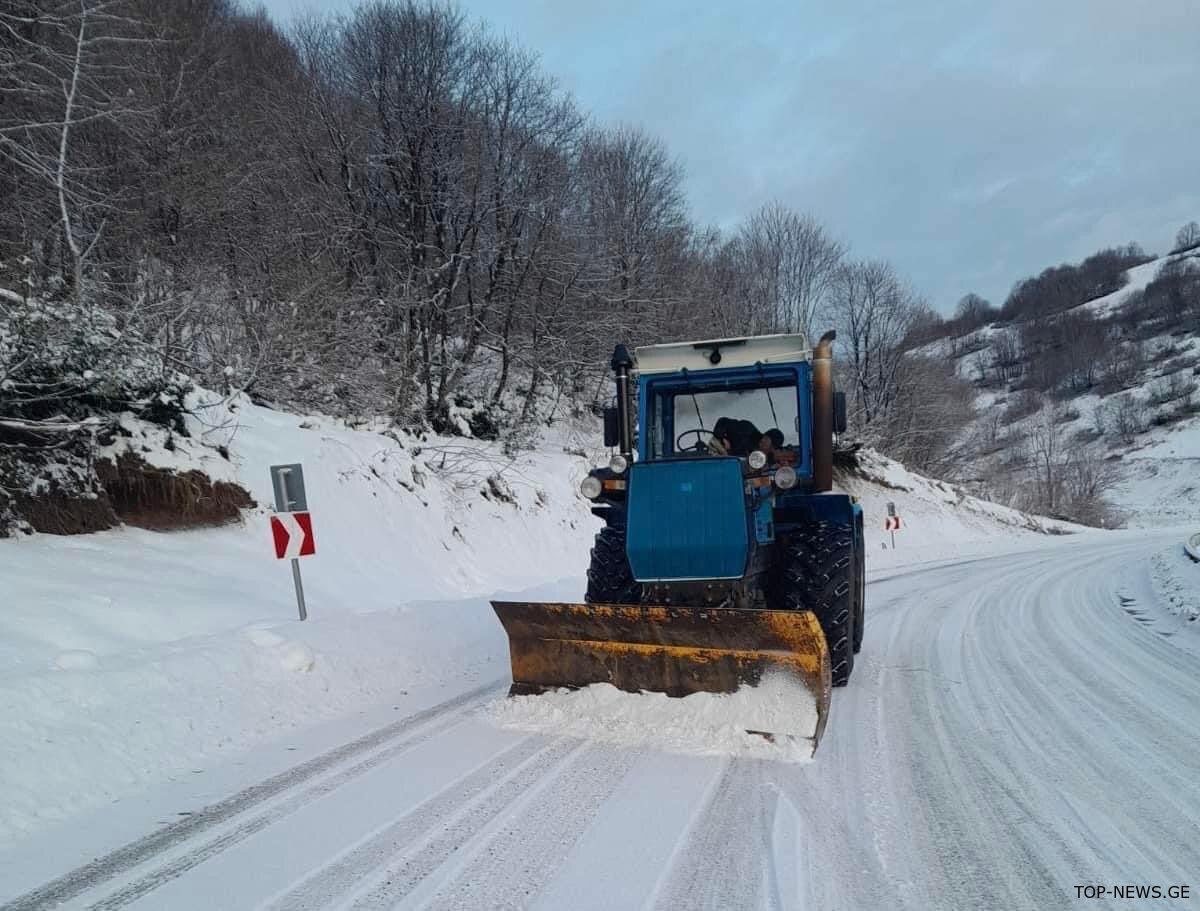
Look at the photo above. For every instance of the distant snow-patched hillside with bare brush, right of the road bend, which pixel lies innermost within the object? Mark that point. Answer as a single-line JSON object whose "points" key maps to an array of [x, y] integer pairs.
{"points": [[1091, 411]]}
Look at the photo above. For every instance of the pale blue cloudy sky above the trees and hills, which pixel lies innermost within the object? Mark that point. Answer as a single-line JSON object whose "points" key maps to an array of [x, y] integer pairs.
{"points": [[969, 143]]}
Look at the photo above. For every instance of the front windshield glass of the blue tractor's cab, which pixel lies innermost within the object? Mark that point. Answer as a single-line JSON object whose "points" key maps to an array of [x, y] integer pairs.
{"points": [[689, 421]]}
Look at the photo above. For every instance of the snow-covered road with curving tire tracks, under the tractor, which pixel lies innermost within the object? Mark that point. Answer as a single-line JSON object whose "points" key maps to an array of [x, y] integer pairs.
{"points": [[1017, 727]]}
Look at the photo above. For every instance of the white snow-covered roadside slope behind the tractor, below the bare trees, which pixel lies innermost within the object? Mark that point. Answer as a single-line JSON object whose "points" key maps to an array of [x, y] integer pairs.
{"points": [[178, 650]]}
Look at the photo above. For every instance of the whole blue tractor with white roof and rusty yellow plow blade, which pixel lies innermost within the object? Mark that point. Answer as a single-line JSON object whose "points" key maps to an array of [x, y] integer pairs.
{"points": [[724, 554]]}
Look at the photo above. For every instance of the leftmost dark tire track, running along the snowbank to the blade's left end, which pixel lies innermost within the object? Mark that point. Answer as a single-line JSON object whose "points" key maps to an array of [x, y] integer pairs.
{"points": [[146, 849]]}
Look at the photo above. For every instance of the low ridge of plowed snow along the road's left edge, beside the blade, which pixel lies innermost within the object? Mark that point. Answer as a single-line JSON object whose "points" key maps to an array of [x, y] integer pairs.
{"points": [[94, 729]]}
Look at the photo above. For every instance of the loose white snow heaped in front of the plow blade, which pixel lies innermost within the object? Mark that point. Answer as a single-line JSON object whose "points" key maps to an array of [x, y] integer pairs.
{"points": [[706, 724]]}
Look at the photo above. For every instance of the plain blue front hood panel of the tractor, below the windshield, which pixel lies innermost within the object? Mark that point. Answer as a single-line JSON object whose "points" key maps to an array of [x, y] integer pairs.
{"points": [[687, 520]]}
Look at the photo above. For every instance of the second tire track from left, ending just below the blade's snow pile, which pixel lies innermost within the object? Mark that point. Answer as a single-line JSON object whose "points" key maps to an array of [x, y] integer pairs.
{"points": [[509, 774]]}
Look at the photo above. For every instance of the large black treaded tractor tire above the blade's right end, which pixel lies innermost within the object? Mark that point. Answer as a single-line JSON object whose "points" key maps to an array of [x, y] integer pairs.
{"points": [[817, 573]]}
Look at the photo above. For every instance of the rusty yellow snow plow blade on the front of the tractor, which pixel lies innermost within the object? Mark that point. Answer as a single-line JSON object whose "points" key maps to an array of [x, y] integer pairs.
{"points": [[677, 651]]}
